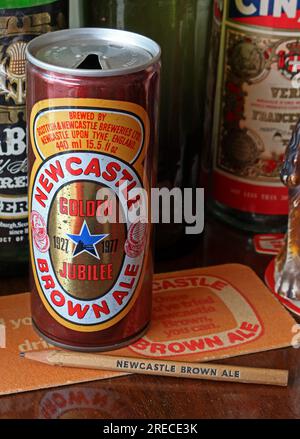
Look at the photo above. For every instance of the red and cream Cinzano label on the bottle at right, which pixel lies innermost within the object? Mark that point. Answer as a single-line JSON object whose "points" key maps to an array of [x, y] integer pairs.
{"points": [[258, 103]]}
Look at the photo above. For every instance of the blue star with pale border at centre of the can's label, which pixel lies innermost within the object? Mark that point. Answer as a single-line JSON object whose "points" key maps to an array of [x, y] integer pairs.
{"points": [[85, 242]]}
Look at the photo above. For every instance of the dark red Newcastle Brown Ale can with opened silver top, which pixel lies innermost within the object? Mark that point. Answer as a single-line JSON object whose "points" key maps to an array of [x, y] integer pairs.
{"points": [[92, 109]]}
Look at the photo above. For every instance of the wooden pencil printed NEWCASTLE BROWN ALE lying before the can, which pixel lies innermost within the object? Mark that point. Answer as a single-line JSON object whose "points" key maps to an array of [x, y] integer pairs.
{"points": [[204, 371]]}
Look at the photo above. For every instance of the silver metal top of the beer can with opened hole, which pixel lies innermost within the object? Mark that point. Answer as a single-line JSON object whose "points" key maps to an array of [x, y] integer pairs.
{"points": [[93, 52]]}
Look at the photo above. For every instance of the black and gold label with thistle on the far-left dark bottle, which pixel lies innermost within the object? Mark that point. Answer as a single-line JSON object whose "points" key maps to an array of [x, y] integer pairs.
{"points": [[17, 28]]}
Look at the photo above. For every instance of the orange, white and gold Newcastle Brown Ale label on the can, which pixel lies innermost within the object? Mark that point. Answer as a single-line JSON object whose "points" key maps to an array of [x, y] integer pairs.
{"points": [[88, 272]]}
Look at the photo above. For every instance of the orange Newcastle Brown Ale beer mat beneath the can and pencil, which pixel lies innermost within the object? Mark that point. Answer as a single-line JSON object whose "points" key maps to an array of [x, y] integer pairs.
{"points": [[198, 315]]}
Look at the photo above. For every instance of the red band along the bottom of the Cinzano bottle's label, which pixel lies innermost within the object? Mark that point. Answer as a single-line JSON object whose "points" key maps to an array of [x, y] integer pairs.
{"points": [[266, 200]]}
